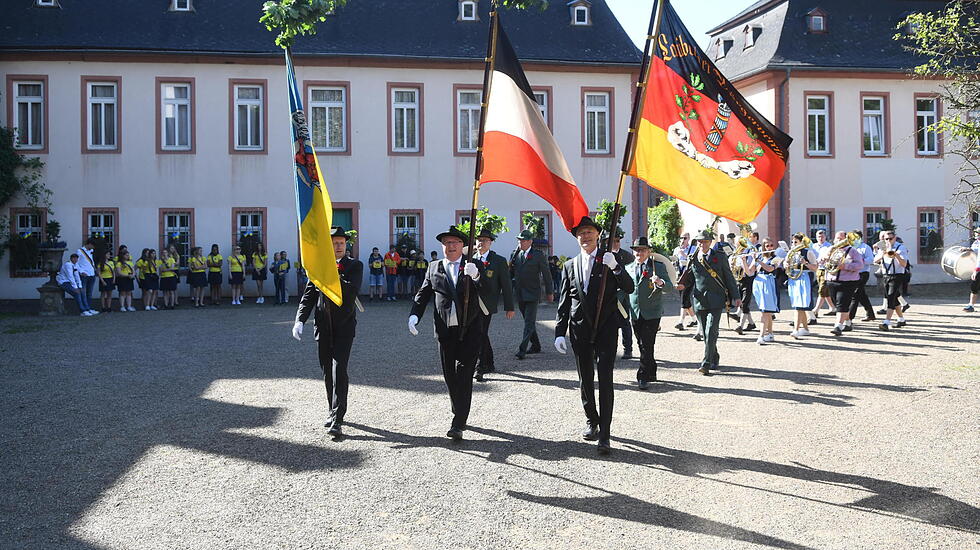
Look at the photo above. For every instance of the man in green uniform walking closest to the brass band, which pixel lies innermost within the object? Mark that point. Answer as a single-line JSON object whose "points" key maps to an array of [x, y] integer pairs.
{"points": [[714, 287]]}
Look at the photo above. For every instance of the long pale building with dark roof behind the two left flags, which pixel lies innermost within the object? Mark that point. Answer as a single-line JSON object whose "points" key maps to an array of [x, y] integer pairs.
{"points": [[165, 120]]}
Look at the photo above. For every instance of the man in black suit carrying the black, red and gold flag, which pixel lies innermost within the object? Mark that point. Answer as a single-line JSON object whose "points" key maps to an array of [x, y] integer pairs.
{"points": [[580, 285]]}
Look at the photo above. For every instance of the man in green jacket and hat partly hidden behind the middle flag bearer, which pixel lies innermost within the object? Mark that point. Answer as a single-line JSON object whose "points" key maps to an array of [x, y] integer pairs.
{"points": [[496, 281]]}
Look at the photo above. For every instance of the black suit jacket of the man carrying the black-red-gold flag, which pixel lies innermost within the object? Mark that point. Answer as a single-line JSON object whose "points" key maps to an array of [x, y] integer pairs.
{"points": [[576, 308]]}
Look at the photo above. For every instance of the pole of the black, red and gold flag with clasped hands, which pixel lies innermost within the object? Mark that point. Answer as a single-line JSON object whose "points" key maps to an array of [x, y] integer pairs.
{"points": [[653, 31]]}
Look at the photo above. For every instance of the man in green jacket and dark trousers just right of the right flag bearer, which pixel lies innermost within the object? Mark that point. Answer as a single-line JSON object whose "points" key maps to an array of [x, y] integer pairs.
{"points": [[651, 280]]}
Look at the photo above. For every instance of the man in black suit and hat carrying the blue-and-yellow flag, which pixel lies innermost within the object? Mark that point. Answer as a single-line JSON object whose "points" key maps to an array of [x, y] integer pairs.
{"points": [[333, 328]]}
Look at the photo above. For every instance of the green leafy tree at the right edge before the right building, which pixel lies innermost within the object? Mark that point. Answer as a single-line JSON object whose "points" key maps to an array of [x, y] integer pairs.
{"points": [[949, 40]]}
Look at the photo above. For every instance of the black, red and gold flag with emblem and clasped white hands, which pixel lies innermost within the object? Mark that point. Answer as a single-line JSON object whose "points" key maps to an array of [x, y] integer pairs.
{"points": [[698, 139]]}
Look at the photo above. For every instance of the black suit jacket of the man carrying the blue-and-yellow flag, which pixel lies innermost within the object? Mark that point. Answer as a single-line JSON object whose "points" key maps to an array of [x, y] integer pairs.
{"points": [[327, 316]]}
